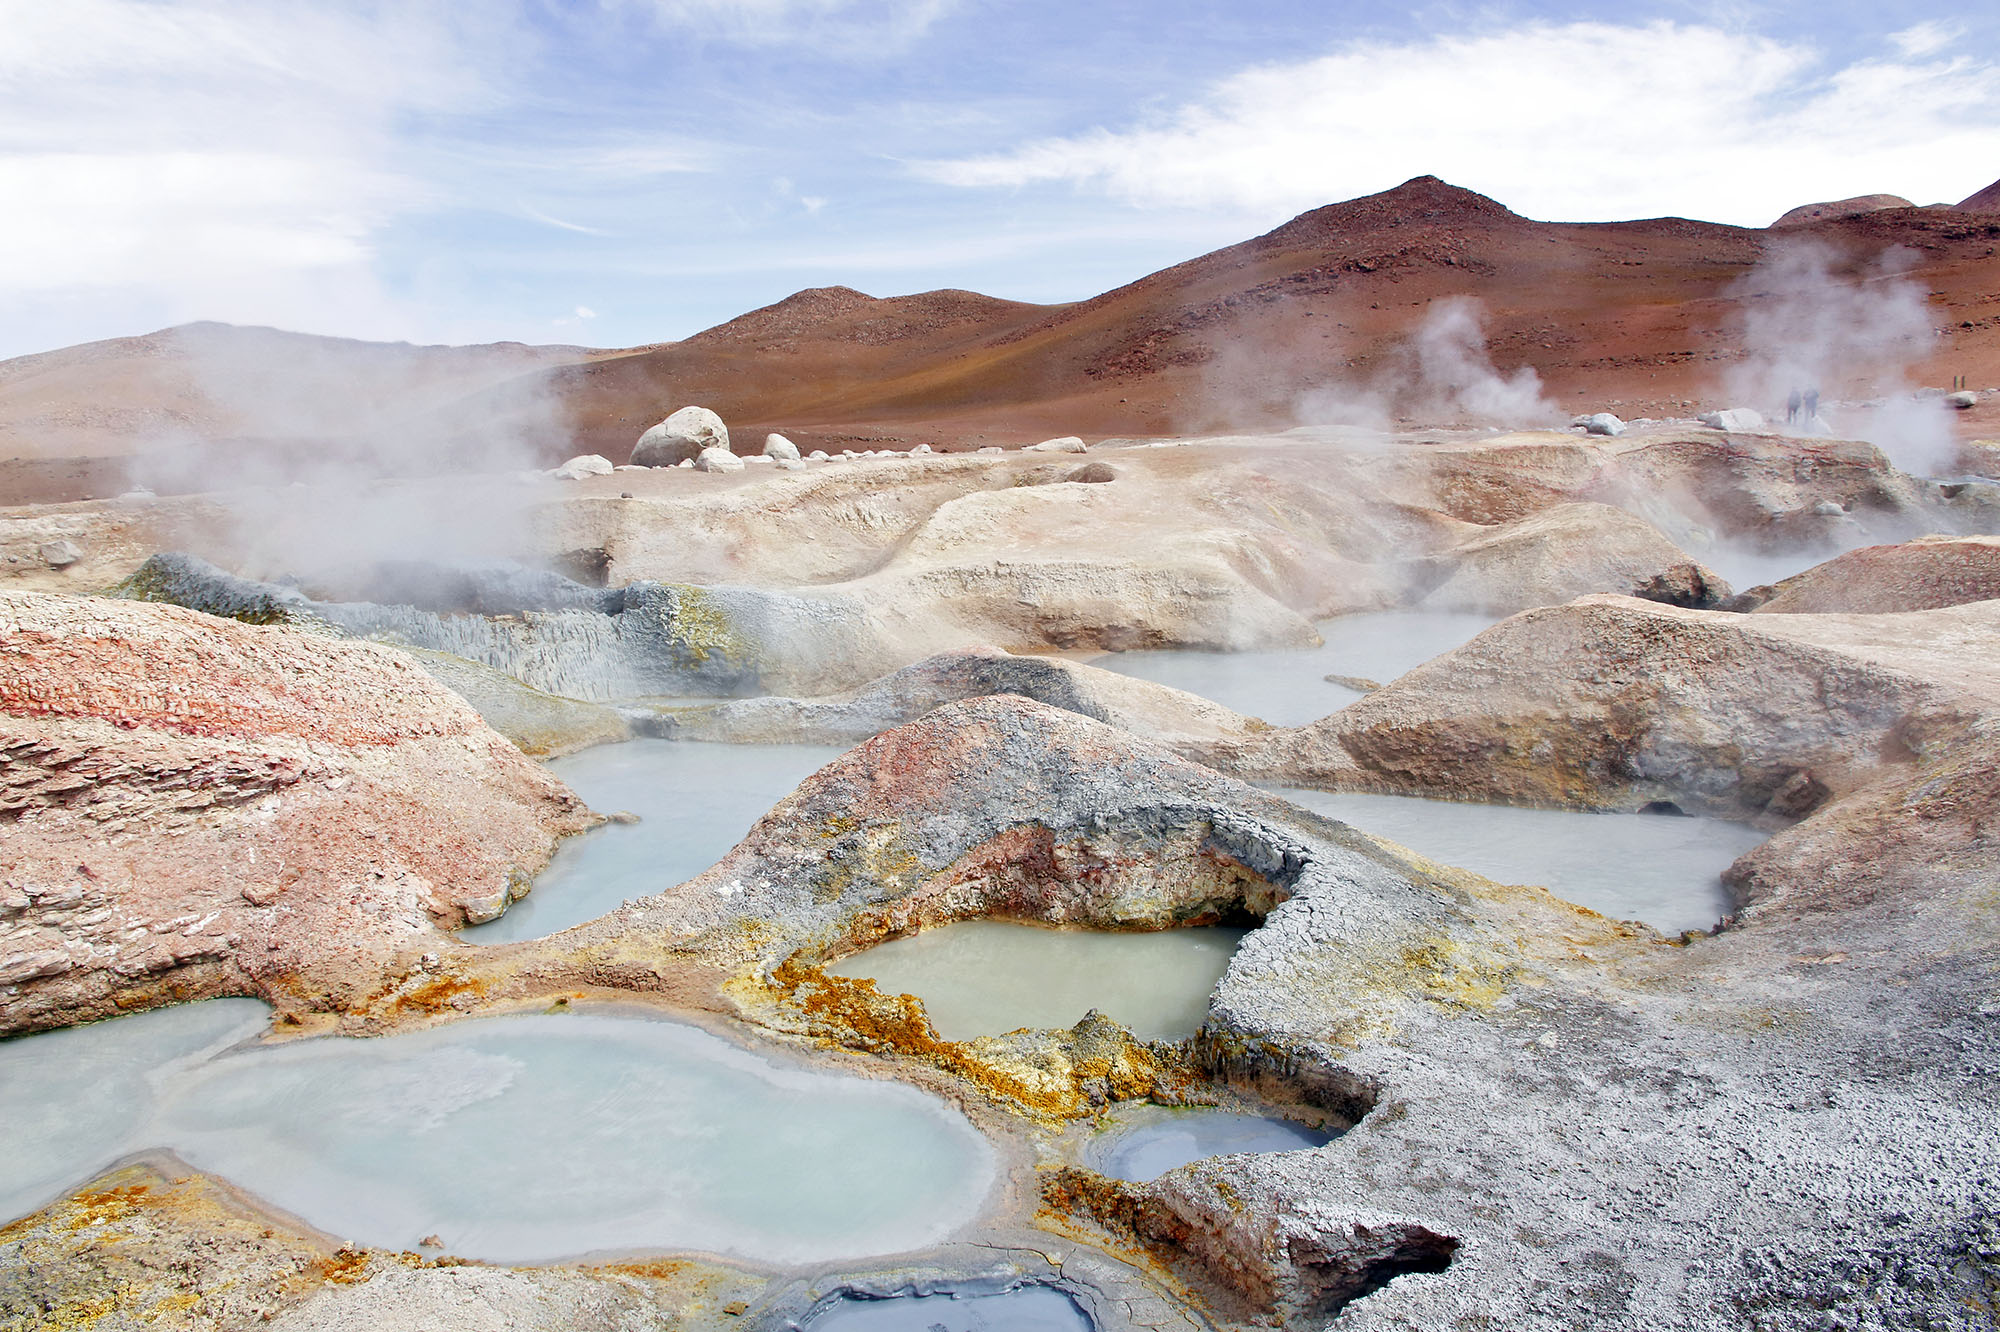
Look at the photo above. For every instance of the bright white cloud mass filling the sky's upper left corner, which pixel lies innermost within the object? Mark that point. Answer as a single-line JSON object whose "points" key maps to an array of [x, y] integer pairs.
{"points": [[219, 159]]}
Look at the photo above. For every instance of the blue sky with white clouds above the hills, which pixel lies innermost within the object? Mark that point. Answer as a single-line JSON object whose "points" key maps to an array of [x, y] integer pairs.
{"points": [[617, 173]]}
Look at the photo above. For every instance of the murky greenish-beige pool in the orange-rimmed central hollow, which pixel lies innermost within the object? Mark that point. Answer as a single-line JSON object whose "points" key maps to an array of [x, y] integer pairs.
{"points": [[993, 977]]}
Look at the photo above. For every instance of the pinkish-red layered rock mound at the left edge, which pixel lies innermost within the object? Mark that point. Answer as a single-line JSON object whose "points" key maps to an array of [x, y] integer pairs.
{"points": [[197, 807]]}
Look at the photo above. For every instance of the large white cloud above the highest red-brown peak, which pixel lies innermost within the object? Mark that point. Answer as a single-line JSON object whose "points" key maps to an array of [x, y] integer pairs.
{"points": [[1573, 123]]}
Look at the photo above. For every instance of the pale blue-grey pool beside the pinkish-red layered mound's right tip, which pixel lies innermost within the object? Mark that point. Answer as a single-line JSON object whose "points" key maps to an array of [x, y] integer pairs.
{"points": [[695, 803]]}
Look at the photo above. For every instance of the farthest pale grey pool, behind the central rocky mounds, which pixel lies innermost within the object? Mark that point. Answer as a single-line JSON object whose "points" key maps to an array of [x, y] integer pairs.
{"points": [[1291, 689]]}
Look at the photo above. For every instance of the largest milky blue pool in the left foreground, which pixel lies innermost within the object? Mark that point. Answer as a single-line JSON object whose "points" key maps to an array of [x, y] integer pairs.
{"points": [[509, 1139]]}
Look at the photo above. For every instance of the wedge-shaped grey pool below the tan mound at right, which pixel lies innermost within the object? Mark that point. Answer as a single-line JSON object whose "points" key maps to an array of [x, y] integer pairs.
{"points": [[1661, 869]]}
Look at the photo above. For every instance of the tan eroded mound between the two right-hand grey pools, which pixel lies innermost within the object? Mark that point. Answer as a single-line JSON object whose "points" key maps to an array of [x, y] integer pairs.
{"points": [[1615, 703]]}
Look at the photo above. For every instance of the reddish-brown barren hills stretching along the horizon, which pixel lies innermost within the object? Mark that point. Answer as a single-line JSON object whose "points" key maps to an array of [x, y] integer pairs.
{"points": [[1327, 317]]}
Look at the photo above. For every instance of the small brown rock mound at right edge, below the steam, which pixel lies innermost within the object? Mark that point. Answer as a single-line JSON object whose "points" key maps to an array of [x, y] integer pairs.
{"points": [[1923, 575]]}
